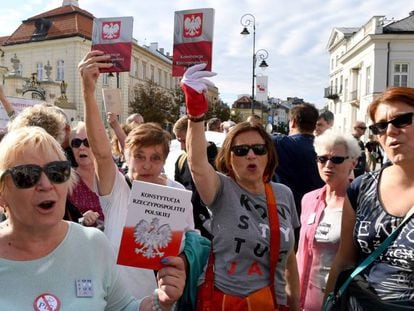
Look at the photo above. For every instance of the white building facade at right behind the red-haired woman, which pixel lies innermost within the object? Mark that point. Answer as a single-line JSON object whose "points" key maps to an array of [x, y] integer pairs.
{"points": [[364, 61]]}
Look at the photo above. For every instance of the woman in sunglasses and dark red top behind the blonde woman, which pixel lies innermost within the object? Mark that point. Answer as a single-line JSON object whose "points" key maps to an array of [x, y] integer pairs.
{"points": [[84, 196]]}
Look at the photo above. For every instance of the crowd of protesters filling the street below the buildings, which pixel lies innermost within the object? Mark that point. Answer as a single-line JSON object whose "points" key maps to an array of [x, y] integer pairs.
{"points": [[275, 218]]}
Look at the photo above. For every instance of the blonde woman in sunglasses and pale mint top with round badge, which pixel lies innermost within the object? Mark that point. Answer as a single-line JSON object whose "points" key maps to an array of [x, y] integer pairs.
{"points": [[48, 263]]}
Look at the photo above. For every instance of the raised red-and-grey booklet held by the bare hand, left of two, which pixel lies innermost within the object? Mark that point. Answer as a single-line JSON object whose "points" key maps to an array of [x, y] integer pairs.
{"points": [[113, 35]]}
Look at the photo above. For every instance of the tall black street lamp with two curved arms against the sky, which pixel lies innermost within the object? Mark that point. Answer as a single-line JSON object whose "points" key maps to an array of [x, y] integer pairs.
{"points": [[247, 20]]}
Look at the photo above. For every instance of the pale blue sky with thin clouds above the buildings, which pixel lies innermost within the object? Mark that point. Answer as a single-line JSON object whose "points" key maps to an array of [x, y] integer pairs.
{"points": [[295, 33]]}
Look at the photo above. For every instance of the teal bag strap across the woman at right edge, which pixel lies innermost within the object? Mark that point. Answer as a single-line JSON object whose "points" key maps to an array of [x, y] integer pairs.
{"points": [[367, 261]]}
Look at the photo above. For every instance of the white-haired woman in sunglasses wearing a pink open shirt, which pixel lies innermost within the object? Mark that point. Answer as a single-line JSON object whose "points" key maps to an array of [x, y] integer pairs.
{"points": [[337, 155]]}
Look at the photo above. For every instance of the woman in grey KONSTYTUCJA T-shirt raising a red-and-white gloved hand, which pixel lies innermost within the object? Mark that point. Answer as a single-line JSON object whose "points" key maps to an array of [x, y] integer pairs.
{"points": [[253, 219]]}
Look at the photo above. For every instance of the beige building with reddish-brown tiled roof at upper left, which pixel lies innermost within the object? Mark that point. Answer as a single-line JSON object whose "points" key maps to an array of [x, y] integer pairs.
{"points": [[44, 52]]}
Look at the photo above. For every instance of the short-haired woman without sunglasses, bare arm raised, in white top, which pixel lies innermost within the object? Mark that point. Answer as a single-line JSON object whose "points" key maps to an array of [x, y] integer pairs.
{"points": [[146, 148]]}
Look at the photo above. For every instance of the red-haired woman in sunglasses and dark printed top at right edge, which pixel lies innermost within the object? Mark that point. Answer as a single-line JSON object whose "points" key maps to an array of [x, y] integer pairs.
{"points": [[378, 203]]}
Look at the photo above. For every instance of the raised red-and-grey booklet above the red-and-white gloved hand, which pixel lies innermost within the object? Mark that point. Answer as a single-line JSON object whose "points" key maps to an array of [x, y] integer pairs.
{"points": [[193, 39]]}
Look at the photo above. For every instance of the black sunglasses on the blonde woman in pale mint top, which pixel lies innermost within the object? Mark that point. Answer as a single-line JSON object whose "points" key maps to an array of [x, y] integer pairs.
{"points": [[28, 175]]}
